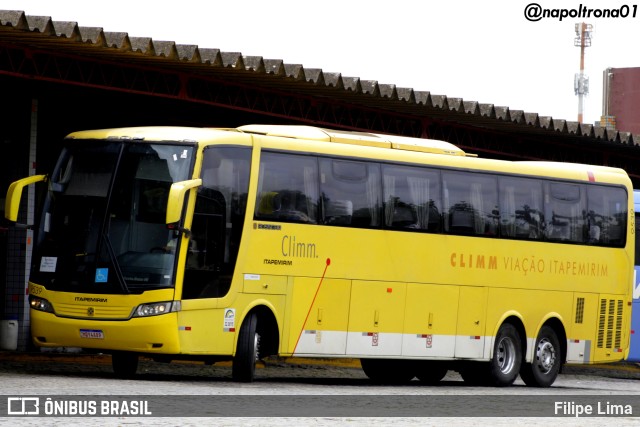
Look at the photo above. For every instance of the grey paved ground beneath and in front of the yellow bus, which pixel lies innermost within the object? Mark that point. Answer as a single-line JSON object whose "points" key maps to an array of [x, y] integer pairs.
{"points": [[91, 374]]}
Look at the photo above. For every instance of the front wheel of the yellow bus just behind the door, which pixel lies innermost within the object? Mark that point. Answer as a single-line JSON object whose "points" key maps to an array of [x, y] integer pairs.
{"points": [[244, 363]]}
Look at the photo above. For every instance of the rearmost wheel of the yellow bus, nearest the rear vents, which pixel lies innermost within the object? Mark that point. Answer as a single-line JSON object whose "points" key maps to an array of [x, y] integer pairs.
{"points": [[546, 362]]}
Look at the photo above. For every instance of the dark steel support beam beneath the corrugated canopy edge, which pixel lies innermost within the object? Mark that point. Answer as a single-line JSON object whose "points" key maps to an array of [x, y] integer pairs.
{"points": [[228, 91]]}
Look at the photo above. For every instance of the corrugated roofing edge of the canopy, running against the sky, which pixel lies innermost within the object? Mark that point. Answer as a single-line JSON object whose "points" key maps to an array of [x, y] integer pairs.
{"points": [[41, 31]]}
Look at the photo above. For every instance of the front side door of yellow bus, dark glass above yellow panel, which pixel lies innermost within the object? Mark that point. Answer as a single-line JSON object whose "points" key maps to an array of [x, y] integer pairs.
{"points": [[214, 240]]}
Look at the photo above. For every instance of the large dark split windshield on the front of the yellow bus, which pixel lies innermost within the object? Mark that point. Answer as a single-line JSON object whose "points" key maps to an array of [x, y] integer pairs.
{"points": [[103, 225]]}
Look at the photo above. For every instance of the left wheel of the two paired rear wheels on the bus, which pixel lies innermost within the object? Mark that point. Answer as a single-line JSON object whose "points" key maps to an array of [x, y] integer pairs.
{"points": [[507, 356]]}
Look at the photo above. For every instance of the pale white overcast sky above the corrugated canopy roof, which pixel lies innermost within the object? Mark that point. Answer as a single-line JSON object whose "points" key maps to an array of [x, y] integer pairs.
{"points": [[485, 51]]}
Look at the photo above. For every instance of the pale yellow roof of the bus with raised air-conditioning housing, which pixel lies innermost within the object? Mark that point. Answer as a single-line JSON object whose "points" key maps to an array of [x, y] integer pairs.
{"points": [[403, 148]]}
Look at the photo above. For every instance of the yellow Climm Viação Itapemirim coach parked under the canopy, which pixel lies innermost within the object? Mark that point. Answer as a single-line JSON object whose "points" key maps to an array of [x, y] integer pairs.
{"points": [[408, 254]]}
